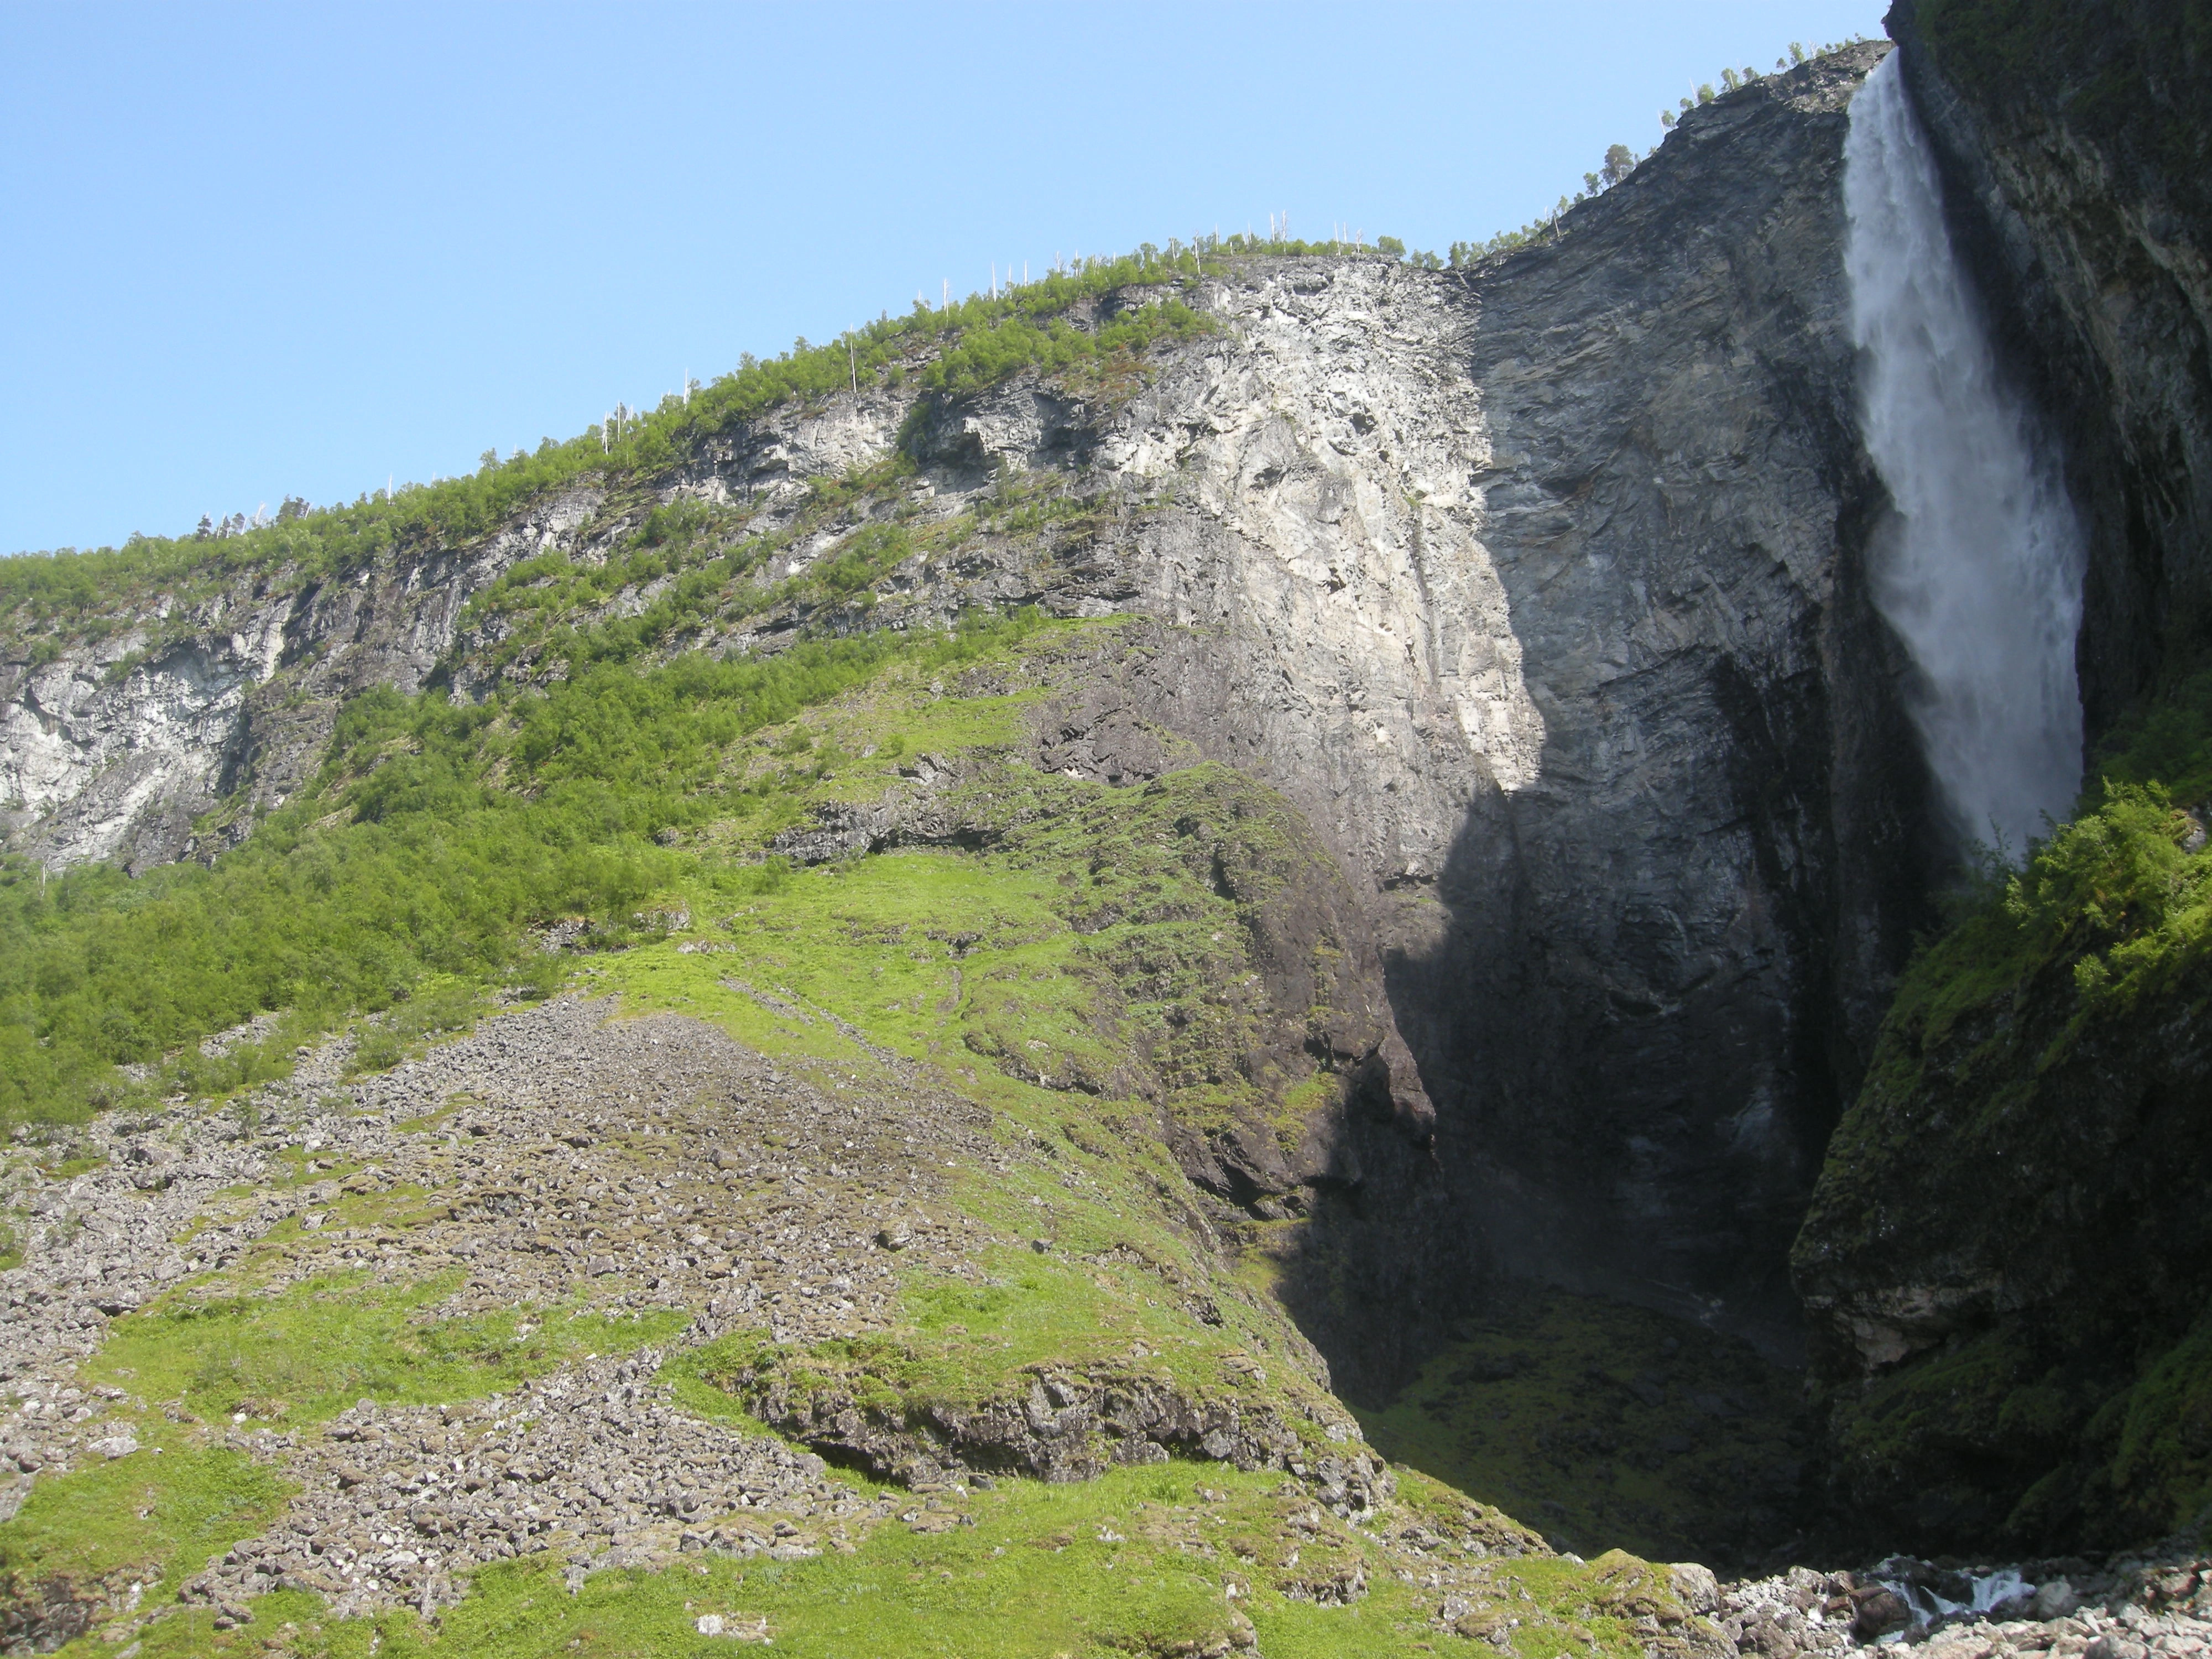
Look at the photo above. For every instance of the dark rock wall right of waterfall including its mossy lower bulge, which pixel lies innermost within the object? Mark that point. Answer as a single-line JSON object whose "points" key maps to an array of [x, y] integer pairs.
{"points": [[2005, 1258]]}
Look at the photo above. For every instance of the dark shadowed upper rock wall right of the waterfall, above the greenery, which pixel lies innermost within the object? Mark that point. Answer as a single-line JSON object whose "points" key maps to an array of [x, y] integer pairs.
{"points": [[2094, 249]]}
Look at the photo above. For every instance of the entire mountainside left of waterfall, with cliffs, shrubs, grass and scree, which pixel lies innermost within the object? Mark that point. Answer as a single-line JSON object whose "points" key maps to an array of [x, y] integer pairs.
{"points": [[1149, 899]]}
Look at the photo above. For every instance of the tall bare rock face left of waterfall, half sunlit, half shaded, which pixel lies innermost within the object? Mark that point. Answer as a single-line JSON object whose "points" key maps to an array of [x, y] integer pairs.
{"points": [[1541, 596]]}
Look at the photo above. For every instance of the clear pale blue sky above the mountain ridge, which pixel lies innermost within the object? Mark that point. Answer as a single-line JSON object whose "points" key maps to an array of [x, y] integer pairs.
{"points": [[253, 251]]}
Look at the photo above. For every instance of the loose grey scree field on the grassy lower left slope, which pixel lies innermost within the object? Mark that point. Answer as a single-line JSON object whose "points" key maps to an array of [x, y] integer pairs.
{"points": [[552, 1158]]}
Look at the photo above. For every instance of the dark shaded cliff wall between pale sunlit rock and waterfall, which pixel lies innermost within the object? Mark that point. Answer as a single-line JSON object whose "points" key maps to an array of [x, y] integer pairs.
{"points": [[1647, 981]]}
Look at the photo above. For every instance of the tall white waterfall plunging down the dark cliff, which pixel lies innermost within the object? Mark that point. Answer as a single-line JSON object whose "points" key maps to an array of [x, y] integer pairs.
{"points": [[1981, 574]]}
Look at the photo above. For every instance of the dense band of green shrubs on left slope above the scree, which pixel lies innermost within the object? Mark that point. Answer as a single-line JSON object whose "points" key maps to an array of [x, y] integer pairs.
{"points": [[428, 846]]}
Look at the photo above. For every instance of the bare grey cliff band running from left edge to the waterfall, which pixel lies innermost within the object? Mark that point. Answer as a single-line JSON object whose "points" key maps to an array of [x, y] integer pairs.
{"points": [[1536, 594]]}
